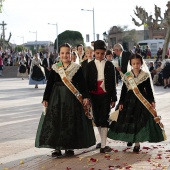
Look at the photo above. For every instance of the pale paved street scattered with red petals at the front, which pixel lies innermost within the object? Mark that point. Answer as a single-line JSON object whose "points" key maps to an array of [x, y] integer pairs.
{"points": [[20, 110]]}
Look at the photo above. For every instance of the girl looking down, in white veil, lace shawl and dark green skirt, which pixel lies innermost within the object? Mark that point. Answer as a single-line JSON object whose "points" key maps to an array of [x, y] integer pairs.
{"points": [[135, 122]]}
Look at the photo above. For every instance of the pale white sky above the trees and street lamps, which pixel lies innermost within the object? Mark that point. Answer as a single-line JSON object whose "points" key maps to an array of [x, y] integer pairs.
{"points": [[22, 16]]}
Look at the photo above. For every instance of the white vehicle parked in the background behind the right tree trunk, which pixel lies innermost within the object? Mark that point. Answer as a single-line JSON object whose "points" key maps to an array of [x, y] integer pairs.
{"points": [[154, 45]]}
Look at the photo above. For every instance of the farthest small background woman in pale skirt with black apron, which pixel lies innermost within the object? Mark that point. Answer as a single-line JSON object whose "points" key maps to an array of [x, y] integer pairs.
{"points": [[22, 70]]}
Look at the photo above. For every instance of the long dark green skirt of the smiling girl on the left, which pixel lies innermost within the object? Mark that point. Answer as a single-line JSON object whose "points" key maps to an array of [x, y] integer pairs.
{"points": [[65, 125]]}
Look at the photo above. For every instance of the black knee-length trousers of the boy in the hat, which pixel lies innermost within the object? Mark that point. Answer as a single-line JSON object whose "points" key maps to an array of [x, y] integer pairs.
{"points": [[101, 109]]}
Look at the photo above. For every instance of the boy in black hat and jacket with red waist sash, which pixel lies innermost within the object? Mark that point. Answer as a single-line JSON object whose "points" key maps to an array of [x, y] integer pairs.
{"points": [[102, 87]]}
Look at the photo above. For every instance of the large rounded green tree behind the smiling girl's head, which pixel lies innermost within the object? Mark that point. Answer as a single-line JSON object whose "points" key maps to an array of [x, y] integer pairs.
{"points": [[71, 37]]}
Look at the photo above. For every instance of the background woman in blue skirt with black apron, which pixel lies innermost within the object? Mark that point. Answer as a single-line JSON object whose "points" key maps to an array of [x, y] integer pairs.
{"points": [[37, 75]]}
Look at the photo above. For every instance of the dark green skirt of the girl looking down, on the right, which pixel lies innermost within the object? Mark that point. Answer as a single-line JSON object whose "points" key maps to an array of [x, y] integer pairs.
{"points": [[135, 123]]}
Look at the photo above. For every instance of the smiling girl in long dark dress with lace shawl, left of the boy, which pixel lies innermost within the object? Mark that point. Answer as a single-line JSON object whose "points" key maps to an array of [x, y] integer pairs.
{"points": [[65, 125]]}
